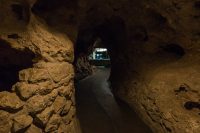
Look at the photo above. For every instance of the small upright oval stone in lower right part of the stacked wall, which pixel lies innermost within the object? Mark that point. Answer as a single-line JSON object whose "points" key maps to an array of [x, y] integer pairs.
{"points": [[59, 104]]}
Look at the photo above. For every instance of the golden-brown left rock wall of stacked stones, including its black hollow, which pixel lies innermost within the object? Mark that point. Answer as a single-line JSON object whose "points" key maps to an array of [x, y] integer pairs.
{"points": [[37, 93]]}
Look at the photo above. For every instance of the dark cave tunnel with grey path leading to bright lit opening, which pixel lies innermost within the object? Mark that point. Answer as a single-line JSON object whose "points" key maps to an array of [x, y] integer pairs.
{"points": [[97, 54]]}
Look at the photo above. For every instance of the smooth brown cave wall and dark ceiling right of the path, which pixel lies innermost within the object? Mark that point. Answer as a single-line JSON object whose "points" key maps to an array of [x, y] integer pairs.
{"points": [[154, 48]]}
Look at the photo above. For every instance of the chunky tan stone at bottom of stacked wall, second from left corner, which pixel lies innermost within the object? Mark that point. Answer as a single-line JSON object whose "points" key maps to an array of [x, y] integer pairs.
{"points": [[21, 122]]}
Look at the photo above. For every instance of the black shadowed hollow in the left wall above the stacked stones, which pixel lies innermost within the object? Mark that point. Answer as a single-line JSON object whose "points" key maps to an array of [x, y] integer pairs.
{"points": [[11, 62]]}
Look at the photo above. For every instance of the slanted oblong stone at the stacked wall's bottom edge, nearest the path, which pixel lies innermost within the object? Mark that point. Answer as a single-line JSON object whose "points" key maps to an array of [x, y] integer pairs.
{"points": [[53, 123]]}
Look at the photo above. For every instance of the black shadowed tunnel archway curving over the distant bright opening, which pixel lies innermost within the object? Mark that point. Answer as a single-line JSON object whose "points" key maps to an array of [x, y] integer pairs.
{"points": [[112, 33]]}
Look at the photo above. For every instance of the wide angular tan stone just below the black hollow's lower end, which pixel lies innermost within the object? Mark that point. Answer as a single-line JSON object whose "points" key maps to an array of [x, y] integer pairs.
{"points": [[25, 90]]}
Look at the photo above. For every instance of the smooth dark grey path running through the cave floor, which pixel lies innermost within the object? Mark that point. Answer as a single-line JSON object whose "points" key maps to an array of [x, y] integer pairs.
{"points": [[99, 112]]}
